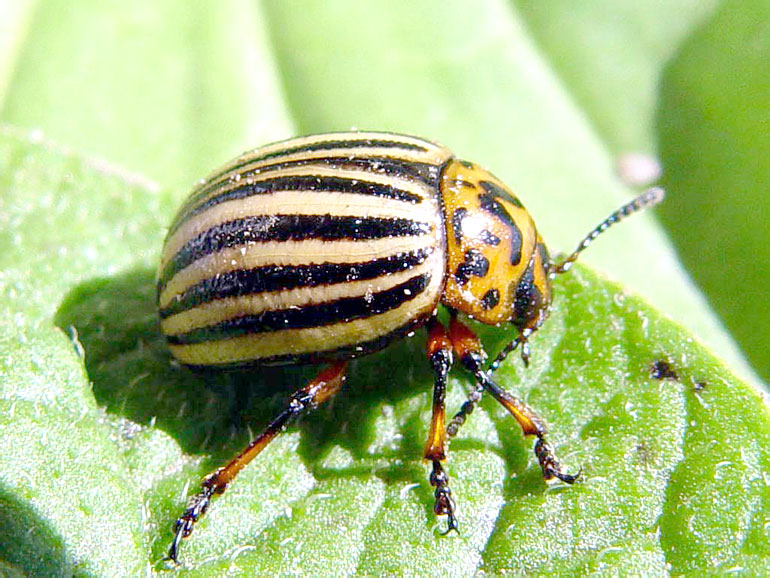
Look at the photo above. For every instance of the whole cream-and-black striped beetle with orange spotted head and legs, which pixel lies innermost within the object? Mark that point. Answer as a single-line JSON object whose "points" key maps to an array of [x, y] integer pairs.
{"points": [[328, 247]]}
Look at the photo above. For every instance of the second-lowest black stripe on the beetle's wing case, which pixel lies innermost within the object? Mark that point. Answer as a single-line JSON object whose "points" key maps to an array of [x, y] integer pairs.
{"points": [[320, 314]]}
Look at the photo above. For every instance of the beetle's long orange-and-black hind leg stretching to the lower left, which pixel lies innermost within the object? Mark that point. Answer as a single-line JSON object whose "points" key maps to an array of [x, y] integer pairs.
{"points": [[327, 383]]}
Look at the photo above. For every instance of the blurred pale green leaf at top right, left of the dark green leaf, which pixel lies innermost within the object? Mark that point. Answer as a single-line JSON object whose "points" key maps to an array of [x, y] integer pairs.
{"points": [[611, 54]]}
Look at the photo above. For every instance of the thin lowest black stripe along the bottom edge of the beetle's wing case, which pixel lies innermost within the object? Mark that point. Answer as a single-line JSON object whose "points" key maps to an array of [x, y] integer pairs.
{"points": [[345, 352]]}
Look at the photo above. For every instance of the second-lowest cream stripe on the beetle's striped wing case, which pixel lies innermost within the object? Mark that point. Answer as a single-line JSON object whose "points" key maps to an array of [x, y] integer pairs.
{"points": [[220, 310]]}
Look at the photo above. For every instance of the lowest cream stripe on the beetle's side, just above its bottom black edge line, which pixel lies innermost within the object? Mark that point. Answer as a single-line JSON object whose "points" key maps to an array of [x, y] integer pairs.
{"points": [[299, 341]]}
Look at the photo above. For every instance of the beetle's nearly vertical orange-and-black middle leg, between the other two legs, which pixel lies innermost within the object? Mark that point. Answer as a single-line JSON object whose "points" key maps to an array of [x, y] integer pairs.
{"points": [[439, 350]]}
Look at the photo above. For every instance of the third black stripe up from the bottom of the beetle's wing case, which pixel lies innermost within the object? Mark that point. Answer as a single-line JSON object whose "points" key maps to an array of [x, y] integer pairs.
{"points": [[284, 277]]}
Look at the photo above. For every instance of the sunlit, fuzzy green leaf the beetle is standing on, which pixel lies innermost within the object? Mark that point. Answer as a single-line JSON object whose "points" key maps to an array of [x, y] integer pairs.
{"points": [[672, 469]]}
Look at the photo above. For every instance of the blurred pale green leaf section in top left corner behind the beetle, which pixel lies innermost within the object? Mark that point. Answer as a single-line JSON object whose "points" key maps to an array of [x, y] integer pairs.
{"points": [[165, 89]]}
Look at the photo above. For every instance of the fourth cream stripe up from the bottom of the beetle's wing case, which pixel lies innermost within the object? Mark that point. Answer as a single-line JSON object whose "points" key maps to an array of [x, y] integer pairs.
{"points": [[296, 203]]}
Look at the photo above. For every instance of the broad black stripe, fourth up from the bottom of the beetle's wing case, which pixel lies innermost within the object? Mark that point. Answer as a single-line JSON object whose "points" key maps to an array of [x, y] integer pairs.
{"points": [[278, 228]]}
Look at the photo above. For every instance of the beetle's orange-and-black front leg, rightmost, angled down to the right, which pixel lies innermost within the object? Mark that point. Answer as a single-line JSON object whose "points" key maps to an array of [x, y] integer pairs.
{"points": [[468, 350]]}
